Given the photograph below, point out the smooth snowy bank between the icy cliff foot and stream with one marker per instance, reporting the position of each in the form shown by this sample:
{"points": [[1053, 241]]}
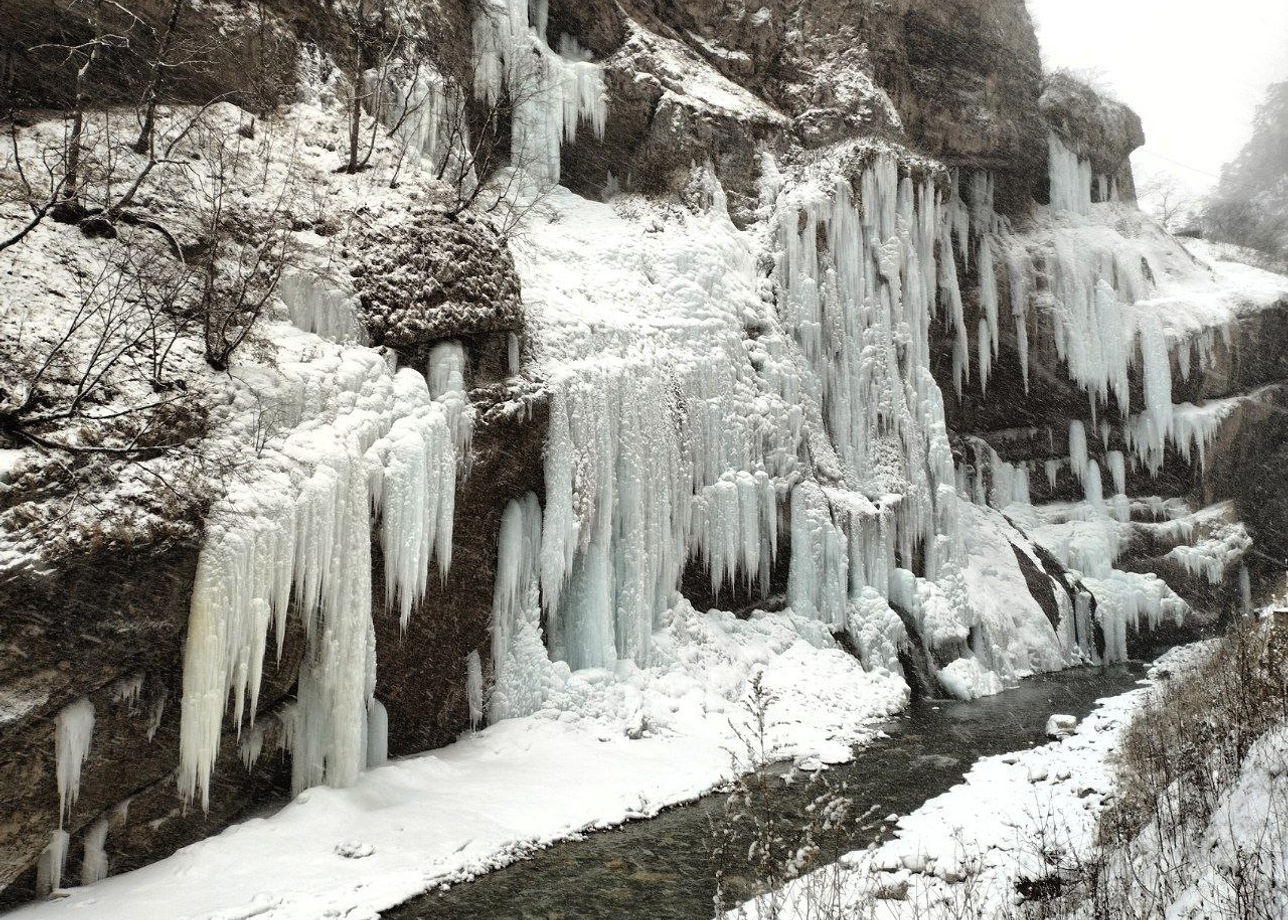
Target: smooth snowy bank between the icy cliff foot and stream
{"points": [[485, 801]]}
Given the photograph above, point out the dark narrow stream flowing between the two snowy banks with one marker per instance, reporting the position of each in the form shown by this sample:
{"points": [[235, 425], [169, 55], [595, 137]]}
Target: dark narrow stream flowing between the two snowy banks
{"points": [[663, 869]]}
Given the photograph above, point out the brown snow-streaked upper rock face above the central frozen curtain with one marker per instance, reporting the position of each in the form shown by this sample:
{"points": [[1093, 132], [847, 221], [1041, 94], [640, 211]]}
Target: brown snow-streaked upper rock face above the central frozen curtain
{"points": [[955, 81]]}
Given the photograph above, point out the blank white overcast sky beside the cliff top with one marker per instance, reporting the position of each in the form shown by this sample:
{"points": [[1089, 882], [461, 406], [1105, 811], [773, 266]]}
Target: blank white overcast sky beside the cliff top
{"points": [[1195, 70]]}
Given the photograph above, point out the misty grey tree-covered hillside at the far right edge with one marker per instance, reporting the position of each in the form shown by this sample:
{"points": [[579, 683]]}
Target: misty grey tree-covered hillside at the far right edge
{"points": [[1250, 207]]}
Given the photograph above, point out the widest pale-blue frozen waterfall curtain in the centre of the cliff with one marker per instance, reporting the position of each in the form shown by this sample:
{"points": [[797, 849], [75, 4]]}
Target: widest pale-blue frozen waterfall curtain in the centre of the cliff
{"points": [[676, 436]]}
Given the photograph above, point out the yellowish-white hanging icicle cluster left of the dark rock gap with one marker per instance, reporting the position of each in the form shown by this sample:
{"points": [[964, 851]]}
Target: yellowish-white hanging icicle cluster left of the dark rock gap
{"points": [[298, 533]]}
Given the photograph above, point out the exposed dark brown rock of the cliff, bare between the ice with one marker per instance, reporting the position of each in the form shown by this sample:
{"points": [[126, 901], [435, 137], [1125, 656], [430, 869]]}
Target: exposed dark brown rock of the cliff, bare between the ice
{"points": [[688, 83]]}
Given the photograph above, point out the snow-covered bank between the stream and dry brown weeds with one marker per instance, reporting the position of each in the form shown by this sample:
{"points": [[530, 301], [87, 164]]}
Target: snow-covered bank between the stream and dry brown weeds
{"points": [[961, 854]]}
